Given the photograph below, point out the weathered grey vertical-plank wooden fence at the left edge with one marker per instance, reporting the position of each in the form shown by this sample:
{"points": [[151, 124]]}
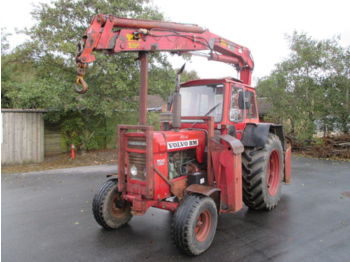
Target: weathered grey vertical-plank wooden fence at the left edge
{"points": [[22, 136]]}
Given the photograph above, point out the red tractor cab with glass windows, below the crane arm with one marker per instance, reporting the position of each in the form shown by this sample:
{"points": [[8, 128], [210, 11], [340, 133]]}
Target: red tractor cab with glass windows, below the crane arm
{"points": [[231, 104]]}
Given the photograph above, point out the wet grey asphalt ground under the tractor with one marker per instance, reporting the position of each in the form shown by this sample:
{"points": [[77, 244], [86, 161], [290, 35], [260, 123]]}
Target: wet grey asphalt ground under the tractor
{"points": [[46, 216]]}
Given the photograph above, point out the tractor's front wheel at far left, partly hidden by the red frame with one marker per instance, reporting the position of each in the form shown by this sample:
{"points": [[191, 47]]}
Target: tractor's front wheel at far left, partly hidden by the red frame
{"points": [[110, 211]]}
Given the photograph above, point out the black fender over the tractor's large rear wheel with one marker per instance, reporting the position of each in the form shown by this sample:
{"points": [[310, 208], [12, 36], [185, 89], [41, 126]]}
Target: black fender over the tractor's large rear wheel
{"points": [[255, 135]]}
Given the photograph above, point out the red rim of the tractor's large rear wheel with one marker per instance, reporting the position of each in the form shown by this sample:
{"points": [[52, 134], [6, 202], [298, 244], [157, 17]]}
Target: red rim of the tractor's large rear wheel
{"points": [[273, 174]]}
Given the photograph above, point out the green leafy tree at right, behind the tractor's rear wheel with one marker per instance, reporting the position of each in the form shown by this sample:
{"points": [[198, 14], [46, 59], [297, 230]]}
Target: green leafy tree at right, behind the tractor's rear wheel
{"points": [[311, 86]]}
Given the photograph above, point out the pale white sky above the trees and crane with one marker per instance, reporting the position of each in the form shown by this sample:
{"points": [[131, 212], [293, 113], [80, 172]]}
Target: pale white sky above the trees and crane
{"points": [[262, 26]]}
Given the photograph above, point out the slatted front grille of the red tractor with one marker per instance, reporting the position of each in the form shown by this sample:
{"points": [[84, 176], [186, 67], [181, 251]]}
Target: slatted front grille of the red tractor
{"points": [[137, 159]]}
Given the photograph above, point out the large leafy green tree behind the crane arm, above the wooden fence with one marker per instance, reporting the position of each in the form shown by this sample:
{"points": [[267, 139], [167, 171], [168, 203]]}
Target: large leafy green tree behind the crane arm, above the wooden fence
{"points": [[41, 72]]}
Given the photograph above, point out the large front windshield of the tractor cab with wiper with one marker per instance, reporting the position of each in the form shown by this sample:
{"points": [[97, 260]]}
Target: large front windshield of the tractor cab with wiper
{"points": [[204, 100]]}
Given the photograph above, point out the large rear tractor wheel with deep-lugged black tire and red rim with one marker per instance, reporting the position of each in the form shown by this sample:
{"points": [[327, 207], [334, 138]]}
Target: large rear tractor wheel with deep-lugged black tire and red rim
{"points": [[262, 187]]}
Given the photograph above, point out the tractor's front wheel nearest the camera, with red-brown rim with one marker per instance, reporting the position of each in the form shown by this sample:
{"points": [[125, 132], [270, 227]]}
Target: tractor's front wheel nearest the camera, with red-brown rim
{"points": [[194, 224]]}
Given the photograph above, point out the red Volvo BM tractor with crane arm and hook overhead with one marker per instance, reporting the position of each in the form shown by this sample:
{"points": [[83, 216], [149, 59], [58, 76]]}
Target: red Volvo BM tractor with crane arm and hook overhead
{"points": [[212, 153]]}
